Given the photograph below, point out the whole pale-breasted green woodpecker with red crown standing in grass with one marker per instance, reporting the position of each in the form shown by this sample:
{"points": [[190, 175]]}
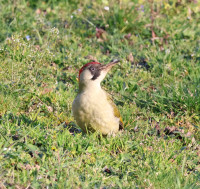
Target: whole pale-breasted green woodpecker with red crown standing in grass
{"points": [[93, 108]]}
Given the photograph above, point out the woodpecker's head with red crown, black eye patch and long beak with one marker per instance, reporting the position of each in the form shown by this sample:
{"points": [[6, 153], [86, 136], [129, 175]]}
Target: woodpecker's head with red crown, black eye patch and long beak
{"points": [[94, 72]]}
